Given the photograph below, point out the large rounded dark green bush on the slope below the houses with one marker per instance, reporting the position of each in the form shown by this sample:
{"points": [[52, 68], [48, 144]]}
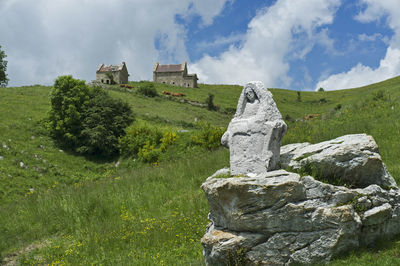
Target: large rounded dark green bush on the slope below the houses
{"points": [[86, 120]]}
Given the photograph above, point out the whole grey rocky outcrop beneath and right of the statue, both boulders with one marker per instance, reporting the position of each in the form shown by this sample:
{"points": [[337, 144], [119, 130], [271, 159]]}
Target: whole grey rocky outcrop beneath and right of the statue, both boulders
{"points": [[283, 218]]}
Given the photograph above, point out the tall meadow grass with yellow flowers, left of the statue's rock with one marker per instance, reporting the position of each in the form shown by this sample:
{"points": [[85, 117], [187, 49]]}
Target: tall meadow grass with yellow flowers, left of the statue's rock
{"points": [[153, 215]]}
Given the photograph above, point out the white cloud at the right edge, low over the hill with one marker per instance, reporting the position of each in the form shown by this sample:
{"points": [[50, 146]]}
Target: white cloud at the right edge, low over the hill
{"points": [[376, 10]]}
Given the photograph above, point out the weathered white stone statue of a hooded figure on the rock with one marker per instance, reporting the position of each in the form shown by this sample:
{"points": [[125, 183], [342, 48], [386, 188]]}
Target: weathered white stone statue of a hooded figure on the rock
{"points": [[254, 134]]}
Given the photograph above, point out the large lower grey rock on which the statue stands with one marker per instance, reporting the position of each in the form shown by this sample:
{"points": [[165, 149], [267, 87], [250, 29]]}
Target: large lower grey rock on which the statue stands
{"points": [[280, 218]]}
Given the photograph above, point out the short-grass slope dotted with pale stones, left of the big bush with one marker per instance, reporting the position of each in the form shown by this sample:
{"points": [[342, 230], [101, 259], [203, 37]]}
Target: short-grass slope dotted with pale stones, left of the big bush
{"points": [[31, 160]]}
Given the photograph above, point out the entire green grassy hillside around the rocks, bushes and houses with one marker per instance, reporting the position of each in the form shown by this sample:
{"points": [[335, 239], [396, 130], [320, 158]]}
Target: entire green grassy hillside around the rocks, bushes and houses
{"points": [[60, 208]]}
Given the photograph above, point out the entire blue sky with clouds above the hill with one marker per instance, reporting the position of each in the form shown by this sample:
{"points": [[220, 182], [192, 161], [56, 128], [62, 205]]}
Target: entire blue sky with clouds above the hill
{"points": [[290, 44]]}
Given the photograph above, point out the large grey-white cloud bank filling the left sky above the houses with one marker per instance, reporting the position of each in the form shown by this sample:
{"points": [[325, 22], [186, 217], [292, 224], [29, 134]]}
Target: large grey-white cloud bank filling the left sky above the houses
{"points": [[45, 38]]}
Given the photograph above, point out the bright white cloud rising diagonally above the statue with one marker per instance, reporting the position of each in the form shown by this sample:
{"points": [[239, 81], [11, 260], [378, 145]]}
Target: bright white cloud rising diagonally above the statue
{"points": [[276, 34]]}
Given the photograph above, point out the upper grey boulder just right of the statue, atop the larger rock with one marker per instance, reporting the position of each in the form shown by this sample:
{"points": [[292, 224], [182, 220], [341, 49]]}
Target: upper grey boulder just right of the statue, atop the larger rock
{"points": [[354, 159]]}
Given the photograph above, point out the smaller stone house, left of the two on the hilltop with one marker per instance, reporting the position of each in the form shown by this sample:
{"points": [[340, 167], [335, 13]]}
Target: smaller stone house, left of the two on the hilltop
{"points": [[117, 73]]}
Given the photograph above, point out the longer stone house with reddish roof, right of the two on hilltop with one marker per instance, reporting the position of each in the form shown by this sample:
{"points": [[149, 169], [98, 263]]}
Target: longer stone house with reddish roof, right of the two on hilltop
{"points": [[174, 75]]}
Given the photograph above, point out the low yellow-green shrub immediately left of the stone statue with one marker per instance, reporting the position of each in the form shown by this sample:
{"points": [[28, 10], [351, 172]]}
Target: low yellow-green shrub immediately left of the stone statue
{"points": [[209, 137]]}
